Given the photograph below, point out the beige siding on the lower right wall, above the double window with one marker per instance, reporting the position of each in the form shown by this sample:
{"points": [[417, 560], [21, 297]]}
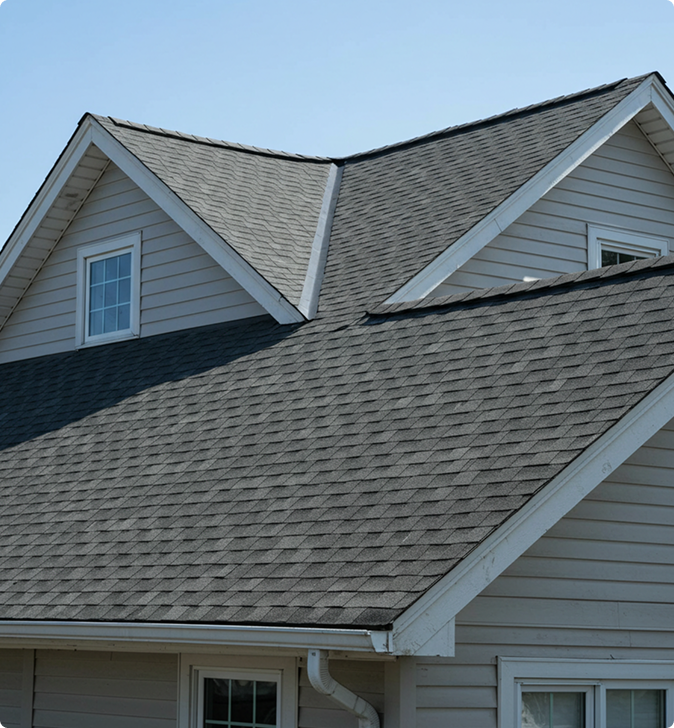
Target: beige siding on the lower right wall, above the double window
{"points": [[599, 584]]}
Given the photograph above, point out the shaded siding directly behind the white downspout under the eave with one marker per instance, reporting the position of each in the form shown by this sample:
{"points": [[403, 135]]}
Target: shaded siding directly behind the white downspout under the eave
{"points": [[364, 678]]}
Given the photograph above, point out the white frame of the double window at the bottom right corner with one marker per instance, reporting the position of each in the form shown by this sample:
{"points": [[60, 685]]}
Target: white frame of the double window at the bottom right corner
{"points": [[517, 675]]}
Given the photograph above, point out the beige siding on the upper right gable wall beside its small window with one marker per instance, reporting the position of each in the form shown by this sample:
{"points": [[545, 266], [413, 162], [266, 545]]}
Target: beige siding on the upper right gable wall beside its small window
{"points": [[624, 184]]}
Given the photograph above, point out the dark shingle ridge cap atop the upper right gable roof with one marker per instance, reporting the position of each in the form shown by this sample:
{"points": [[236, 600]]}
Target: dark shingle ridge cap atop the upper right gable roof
{"points": [[518, 111]]}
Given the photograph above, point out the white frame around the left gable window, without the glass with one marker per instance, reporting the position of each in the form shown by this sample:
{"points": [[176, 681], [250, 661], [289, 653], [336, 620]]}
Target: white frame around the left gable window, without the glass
{"points": [[88, 254]]}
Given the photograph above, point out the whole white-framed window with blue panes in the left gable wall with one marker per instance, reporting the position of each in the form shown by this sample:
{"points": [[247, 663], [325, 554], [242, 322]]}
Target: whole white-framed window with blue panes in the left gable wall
{"points": [[108, 292]]}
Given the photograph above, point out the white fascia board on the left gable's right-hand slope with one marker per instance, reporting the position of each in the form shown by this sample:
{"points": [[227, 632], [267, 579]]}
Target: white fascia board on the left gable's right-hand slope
{"points": [[244, 274]]}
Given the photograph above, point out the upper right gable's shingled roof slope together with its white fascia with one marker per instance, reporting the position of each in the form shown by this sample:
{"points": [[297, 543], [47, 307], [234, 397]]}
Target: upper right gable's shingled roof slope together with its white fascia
{"points": [[402, 208]]}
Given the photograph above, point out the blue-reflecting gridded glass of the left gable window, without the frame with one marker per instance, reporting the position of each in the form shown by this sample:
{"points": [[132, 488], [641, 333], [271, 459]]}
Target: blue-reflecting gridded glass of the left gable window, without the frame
{"points": [[109, 294]]}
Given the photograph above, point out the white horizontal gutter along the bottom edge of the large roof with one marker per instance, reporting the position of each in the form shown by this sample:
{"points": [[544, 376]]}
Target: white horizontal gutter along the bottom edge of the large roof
{"points": [[350, 640]]}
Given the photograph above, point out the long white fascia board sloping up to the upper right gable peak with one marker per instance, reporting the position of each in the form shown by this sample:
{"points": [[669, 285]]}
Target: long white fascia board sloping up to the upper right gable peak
{"points": [[520, 201]]}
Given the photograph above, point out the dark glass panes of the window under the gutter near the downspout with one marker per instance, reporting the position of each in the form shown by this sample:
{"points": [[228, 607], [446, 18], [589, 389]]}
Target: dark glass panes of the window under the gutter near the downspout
{"points": [[240, 703]]}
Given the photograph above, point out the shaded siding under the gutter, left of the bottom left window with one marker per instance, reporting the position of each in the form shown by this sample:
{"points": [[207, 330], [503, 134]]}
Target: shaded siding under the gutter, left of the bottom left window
{"points": [[104, 689]]}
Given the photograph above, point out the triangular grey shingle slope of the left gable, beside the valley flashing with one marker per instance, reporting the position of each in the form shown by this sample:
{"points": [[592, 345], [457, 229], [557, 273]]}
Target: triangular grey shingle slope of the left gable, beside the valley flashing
{"points": [[265, 204]]}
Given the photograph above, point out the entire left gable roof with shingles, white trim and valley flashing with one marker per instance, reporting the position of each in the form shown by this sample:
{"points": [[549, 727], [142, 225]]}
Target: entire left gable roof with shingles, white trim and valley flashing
{"points": [[263, 215]]}
